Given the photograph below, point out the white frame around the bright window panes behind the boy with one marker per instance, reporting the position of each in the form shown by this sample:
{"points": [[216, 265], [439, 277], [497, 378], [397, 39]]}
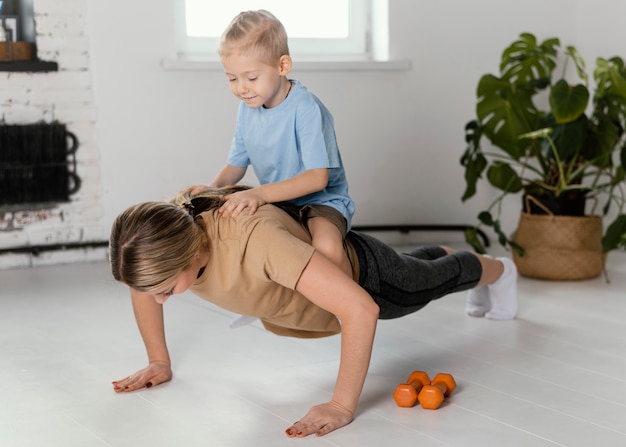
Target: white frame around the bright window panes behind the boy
{"points": [[356, 47]]}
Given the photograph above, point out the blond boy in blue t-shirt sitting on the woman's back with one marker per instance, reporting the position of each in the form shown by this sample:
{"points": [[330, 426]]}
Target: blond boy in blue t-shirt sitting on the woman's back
{"points": [[285, 133]]}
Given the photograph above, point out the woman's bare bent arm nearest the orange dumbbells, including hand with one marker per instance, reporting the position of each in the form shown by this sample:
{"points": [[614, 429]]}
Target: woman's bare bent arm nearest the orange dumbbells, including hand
{"points": [[327, 286]]}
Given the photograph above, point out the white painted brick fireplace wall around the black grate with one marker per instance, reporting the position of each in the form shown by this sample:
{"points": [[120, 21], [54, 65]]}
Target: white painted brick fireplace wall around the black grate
{"points": [[65, 96]]}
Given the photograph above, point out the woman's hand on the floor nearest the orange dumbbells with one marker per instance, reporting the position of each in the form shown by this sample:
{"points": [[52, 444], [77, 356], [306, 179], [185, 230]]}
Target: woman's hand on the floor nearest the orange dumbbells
{"points": [[321, 420]]}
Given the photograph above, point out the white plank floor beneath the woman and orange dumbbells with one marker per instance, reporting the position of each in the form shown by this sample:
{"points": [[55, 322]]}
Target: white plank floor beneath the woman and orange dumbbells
{"points": [[556, 376]]}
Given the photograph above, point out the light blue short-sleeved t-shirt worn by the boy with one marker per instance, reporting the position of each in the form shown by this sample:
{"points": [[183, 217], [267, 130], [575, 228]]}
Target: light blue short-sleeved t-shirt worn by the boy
{"points": [[295, 136]]}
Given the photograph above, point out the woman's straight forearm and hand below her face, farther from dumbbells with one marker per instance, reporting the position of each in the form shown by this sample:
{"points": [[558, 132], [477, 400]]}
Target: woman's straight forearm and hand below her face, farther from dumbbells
{"points": [[149, 317]]}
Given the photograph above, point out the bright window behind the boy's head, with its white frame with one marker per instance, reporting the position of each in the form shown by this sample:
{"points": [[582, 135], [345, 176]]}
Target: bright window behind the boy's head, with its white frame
{"points": [[317, 29]]}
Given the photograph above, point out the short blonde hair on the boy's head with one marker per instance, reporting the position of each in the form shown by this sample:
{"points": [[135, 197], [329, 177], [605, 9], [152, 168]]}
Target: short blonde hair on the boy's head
{"points": [[258, 33]]}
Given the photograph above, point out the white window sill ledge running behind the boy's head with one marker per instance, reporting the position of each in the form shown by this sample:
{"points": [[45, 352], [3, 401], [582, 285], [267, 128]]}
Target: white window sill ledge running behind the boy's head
{"points": [[330, 65]]}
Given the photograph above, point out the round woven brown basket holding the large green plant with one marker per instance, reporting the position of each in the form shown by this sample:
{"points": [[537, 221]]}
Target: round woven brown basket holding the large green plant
{"points": [[559, 247]]}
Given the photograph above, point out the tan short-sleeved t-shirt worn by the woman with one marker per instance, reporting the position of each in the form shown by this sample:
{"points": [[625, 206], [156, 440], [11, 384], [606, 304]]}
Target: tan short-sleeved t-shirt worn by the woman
{"points": [[254, 265]]}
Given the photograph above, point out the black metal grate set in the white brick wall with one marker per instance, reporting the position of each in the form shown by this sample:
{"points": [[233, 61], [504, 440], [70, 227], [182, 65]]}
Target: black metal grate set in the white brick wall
{"points": [[37, 163]]}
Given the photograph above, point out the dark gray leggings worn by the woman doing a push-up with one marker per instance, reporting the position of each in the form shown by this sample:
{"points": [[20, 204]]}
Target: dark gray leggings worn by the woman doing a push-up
{"points": [[404, 283]]}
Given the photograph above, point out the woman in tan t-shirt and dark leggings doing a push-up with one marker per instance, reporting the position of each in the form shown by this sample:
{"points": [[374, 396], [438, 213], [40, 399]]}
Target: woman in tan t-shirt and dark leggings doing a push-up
{"points": [[263, 265]]}
